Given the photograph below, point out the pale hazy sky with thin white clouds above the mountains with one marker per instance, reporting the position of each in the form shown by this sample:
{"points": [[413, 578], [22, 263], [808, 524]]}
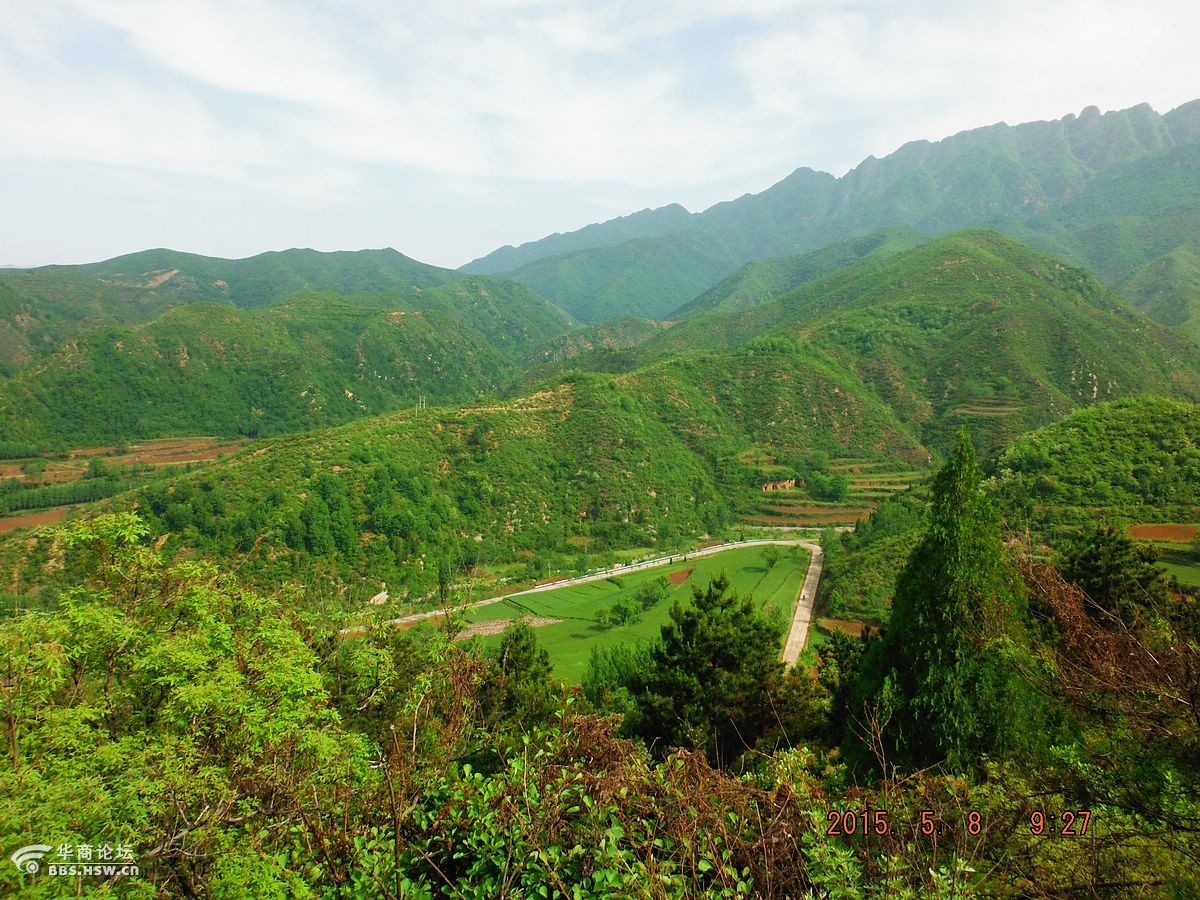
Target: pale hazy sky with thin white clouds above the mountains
{"points": [[449, 128]]}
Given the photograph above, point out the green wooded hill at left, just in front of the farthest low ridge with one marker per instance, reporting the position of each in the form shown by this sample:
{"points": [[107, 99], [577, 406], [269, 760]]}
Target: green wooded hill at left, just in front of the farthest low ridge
{"points": [[310, 362]]}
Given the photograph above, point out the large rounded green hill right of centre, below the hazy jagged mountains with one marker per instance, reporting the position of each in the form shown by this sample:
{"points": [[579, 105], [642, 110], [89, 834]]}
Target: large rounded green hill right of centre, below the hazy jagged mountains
{"points": [[971, 329]]}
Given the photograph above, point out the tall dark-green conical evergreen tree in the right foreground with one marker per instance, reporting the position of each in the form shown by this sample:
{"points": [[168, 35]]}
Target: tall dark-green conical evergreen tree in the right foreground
{"points": [[943, 697]]}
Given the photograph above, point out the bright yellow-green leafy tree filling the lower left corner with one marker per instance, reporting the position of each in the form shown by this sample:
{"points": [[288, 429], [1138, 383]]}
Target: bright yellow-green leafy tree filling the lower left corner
{"points": [[165, 709]]}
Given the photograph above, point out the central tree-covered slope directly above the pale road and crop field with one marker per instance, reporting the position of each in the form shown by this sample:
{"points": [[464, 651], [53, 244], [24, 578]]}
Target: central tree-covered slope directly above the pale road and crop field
{"points": [[421, 495]]}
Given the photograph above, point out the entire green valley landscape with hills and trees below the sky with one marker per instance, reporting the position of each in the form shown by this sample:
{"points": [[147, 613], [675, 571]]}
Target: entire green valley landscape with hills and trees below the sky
{"points": [[655, 554]]}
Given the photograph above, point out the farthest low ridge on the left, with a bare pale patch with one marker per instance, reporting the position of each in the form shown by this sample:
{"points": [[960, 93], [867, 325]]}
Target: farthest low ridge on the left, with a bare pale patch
{"points": [[41, 308]]}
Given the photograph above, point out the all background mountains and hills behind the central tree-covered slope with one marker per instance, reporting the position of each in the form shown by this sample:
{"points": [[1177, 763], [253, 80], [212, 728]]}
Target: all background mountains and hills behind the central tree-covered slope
{"points": [[904, 328]]}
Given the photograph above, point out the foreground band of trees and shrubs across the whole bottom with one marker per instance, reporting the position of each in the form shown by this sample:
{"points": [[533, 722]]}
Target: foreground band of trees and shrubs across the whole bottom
{"points": [[1015, 733]]}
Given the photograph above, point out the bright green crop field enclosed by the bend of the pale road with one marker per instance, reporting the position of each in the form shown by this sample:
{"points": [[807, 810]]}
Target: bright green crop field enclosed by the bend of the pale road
{"points": [[571, 641]]}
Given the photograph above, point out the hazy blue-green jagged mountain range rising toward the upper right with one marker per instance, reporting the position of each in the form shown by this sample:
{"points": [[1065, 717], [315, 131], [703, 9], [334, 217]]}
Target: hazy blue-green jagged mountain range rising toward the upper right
{"points": [[1064, 187]]}
